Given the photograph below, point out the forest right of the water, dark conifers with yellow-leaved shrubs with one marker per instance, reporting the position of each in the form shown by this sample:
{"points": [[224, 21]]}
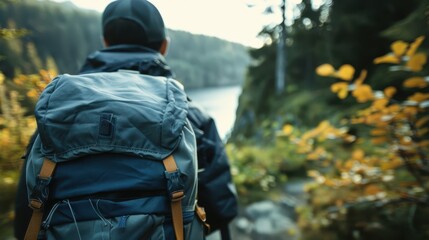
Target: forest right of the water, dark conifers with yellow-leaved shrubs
{"points": [[352, 120]]}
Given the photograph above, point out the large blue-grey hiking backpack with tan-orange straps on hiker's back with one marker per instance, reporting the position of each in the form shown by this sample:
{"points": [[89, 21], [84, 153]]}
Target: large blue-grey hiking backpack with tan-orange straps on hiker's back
{"points": [[114, 158]]}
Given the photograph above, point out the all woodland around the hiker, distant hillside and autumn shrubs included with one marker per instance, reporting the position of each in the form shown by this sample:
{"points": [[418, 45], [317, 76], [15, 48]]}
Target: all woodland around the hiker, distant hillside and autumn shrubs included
{"points": [[352, 119]]}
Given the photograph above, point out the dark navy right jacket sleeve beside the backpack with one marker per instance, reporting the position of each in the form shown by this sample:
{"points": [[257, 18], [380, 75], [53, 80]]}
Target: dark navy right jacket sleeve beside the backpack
{"points": [[216, 191]]}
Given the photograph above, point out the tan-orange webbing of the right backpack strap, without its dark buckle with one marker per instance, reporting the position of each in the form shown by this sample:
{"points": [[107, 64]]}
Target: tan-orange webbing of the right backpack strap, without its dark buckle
{"points": [[176, 203]]}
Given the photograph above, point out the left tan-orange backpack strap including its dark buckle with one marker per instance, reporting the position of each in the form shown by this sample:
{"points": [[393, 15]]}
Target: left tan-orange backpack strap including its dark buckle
{"points": [[38, 198]]}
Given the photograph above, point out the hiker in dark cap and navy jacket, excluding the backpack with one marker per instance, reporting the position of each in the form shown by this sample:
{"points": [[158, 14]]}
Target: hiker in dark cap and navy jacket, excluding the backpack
{"points": [[135, 39]]}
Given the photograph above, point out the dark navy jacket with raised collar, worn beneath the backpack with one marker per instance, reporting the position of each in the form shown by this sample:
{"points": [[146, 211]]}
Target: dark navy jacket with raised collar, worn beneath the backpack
{"points": [[216, 192]]}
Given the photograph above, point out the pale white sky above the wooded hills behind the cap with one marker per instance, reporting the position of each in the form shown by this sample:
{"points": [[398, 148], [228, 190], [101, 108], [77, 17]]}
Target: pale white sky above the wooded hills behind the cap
{"points": [[231, 20]]}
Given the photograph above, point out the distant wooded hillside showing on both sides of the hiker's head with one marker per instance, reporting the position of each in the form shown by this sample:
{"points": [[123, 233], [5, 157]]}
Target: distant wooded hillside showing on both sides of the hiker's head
{"points": [[60, 35]]}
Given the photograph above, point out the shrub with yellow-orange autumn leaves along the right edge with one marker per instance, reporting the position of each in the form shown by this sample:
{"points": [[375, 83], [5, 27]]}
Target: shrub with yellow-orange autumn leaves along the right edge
{"points": [[371, 184]]}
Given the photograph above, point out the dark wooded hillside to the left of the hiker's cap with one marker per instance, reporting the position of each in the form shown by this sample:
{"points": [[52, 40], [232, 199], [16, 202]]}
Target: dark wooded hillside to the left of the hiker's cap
{"points": [[54, 31]]}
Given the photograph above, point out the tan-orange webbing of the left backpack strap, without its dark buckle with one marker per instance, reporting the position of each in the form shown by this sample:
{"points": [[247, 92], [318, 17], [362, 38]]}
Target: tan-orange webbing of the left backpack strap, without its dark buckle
{"points": [[37, 206]]}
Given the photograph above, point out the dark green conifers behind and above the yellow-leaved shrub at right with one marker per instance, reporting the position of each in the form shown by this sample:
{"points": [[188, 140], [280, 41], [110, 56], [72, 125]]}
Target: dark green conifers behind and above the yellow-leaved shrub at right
{"points": [[343, 32]]}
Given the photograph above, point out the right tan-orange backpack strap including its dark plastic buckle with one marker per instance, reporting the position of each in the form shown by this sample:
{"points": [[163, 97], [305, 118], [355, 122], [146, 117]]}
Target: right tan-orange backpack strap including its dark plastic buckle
{"points": [[176, 191]]}
